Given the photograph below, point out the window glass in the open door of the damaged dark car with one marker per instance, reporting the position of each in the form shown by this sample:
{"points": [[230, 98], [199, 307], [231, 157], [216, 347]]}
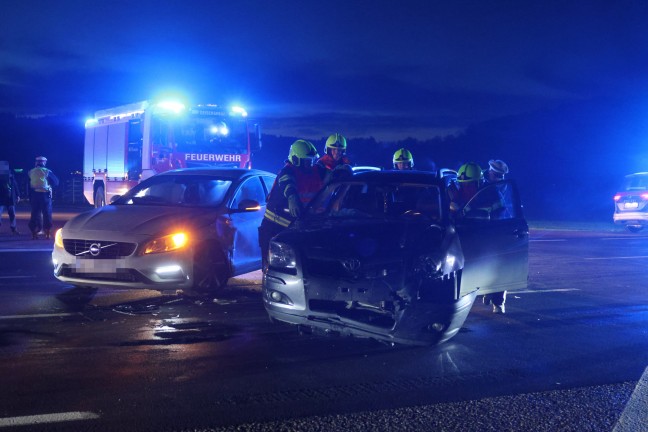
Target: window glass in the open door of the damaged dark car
{"points": [[494, 202]]}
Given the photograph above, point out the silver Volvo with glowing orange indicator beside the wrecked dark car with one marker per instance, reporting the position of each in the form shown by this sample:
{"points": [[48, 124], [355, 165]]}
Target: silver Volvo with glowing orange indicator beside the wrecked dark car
{"points": [[189, 229]]}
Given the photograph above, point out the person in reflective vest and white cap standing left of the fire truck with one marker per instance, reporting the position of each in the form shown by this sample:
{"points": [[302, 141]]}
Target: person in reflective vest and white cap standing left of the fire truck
{"points": [[41, 181]]}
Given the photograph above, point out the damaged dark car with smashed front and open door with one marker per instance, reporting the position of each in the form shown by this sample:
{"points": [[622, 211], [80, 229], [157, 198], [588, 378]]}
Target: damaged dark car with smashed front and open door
{"points": [[380, 256]]}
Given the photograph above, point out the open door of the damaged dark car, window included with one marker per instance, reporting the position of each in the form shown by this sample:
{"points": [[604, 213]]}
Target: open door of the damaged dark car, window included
{"points": [[494, 237]]}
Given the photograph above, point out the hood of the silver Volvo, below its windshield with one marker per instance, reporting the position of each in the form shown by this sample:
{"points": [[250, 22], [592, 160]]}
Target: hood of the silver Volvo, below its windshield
{"points": [[140, 219]]}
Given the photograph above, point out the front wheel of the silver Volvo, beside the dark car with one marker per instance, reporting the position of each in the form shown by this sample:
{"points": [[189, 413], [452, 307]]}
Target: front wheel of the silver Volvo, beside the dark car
{"points": [[210, 269]]}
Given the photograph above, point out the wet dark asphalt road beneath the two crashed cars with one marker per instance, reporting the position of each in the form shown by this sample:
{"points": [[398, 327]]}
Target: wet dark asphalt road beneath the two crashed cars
{"points": [[569, 355]]}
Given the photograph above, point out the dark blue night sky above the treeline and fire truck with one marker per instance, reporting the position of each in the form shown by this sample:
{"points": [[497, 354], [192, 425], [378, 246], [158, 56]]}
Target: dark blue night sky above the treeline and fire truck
{"points": [[388, 69]]}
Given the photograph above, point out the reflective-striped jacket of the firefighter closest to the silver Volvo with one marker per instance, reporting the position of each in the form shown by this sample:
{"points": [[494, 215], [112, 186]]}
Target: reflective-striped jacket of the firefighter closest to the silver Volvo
{"points": [[292, 180]]}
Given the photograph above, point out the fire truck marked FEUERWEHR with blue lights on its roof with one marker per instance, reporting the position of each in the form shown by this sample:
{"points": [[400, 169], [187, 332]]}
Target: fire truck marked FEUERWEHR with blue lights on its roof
{"points": [[128, 143]]}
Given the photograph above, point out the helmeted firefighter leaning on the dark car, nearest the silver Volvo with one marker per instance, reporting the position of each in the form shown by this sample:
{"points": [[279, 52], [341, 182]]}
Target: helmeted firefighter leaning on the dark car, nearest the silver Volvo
{"points": [[296, 184]]}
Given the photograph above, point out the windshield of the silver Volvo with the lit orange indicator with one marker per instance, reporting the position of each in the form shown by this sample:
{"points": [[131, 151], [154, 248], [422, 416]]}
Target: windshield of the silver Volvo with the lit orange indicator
{"points": [[189, 191]]}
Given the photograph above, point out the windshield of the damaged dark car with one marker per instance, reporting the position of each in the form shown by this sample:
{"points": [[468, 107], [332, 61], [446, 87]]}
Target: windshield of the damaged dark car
{"points": [[371, 200]]}
